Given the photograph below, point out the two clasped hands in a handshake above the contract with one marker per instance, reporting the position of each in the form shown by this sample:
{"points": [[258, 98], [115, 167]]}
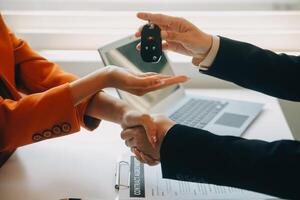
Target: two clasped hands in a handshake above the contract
{"points": [[144, 135]]}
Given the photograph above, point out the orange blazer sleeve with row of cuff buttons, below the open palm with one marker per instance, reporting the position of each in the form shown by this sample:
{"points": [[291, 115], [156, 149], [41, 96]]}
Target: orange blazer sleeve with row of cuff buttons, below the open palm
{"points": [[37, 117]]}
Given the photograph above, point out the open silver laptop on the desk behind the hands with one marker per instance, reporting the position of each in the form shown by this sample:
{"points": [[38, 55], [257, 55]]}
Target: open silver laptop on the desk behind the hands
{"points": [[217, 115]]}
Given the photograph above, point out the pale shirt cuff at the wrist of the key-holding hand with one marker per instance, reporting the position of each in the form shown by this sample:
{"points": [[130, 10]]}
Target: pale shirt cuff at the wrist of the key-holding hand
{"points": [[210, 58]]}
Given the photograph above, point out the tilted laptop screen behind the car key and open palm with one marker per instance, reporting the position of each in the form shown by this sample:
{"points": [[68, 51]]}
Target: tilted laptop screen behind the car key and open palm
{"points": [[127, 56]]}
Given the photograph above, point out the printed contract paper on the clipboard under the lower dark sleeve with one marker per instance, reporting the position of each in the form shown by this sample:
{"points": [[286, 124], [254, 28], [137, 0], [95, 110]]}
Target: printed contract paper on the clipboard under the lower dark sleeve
{"points": [[146, 182]]}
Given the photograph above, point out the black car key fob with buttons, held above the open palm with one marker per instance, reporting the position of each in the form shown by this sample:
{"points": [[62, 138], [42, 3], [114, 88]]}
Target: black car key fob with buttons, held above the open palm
{"points": [[151, 47]]}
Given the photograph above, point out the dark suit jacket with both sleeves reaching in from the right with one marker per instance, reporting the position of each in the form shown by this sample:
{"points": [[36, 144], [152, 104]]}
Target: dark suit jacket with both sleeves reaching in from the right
{"points": [[273, 168]]}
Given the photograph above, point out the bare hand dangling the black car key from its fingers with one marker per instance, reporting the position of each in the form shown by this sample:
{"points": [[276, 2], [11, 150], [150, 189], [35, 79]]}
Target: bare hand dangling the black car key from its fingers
{"points": [[179, 35]]}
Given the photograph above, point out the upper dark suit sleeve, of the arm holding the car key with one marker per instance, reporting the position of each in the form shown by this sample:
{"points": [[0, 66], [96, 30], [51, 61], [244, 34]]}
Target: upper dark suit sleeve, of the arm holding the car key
{"points": [[258, 69]]}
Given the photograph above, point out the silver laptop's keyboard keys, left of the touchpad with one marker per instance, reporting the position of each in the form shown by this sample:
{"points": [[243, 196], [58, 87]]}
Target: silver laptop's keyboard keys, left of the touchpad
{"points": [[197, 112]]}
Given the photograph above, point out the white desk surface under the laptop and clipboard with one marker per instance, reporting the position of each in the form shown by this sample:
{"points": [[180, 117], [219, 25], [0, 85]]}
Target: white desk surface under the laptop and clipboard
{"points": [[83, 164]]}
